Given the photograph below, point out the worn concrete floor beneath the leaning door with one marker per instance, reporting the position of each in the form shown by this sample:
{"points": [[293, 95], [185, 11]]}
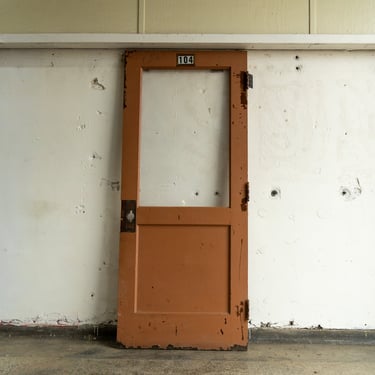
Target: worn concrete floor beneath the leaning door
{"points": [[49, 356]]}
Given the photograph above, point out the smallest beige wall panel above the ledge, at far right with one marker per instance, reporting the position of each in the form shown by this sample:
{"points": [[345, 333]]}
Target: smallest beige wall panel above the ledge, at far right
{"points": [[343, 16]]}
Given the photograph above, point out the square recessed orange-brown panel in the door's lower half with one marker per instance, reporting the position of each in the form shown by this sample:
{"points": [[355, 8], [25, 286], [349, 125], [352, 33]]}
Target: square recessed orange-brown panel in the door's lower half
{"points": [[183, 269]]}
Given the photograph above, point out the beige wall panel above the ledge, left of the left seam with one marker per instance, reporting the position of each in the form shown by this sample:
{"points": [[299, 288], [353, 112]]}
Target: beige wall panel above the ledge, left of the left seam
{"points": [[71, 16]]}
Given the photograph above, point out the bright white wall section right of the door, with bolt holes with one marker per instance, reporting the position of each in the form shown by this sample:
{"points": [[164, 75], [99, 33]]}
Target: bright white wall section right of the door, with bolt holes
{"points": [[311, 135]]}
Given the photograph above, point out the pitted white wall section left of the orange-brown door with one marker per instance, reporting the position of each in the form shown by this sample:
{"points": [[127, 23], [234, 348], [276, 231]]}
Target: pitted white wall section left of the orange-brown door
{"points": [[60, 139]]}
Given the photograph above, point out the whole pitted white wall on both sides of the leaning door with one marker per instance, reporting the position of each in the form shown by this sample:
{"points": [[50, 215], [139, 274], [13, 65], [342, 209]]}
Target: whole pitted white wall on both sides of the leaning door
{"points": [[311, 135]]}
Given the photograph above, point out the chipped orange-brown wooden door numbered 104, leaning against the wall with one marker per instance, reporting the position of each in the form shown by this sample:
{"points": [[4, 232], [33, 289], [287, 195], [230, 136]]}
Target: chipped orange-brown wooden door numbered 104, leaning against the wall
{"points": [[183, 247]]}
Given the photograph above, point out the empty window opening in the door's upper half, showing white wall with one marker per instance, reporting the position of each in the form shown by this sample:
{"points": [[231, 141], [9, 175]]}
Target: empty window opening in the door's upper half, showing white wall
{"points": [[184, 146]]}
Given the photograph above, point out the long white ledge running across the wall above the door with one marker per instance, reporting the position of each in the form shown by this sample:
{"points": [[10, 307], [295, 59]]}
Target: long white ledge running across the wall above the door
{"points": [[193, 41]]}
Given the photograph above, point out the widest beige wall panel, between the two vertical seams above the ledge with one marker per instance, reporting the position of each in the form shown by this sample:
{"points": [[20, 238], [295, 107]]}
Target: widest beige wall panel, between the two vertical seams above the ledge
{"points": [[223, 16]]}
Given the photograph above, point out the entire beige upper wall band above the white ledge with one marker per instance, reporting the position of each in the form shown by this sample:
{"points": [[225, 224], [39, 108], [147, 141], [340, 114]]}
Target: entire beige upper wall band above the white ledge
{"points": [[187, 16]]}
